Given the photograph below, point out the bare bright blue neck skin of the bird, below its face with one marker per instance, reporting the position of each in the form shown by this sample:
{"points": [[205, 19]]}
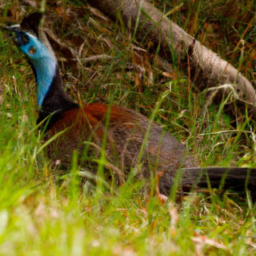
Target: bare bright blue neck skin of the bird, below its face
{"points": [[45, 69]]}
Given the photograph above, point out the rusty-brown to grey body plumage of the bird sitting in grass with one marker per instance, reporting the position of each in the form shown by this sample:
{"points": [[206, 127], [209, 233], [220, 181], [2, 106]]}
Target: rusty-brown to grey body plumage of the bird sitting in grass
{"points": [[127, 143]]}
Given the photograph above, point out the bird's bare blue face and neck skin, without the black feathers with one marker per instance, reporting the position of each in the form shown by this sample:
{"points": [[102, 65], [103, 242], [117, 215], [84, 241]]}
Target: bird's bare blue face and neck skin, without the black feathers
{"points": [[40, 58]]}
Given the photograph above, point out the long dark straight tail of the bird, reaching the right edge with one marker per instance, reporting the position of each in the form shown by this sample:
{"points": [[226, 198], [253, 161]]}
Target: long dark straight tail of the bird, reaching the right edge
{"points": [[236, 179]]}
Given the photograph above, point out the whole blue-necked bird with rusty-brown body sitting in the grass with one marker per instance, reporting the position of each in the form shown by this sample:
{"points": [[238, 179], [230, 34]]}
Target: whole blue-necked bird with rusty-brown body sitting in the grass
{"points": [[131, 143]]}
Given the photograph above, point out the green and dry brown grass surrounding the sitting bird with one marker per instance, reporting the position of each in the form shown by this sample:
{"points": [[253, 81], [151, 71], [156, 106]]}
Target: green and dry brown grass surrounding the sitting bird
{"points": [[43, 212]]}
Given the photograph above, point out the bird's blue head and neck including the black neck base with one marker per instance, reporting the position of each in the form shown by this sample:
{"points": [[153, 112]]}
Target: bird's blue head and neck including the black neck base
{"points": [[51, 97]]}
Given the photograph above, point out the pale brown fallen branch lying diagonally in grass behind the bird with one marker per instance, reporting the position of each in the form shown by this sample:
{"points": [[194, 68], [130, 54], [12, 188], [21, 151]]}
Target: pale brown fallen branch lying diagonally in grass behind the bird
{"points": [[150, 24]]}
